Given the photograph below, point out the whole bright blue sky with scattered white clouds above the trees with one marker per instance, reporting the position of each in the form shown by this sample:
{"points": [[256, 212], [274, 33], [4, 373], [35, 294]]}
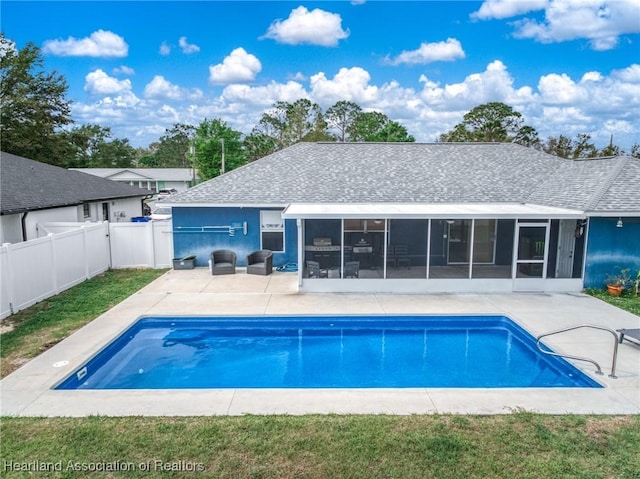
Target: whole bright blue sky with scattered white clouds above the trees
{"points": [[569, 66]]}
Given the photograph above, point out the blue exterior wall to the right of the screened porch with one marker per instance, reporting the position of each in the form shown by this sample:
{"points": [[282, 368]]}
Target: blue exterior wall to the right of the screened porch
{"points": [[610, 249]]}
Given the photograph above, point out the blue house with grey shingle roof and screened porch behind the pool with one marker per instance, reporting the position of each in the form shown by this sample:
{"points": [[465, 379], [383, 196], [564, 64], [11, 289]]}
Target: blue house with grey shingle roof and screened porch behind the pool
{"points": [[410, 217]]}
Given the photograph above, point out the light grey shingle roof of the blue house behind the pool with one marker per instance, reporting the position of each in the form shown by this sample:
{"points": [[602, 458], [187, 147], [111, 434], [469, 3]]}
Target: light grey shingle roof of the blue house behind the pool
{"points": [[405, 173]]}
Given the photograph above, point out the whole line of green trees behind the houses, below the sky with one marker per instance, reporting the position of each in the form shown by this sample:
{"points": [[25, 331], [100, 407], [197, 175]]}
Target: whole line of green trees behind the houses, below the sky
{"points": [[36, 123]]}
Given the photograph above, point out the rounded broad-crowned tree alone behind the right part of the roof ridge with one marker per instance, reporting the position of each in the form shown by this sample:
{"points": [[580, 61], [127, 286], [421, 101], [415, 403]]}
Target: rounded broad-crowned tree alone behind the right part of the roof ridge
{"points": [[492, 122]]}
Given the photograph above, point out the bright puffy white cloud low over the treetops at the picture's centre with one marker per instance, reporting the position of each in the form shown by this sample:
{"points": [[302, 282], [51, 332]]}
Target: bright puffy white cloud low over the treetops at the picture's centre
{"points": [[351, 84]]}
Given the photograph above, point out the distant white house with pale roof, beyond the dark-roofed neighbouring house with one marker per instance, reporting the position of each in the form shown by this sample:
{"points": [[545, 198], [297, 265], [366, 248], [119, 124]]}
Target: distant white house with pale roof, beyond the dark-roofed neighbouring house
{"points": [[154, 179]]}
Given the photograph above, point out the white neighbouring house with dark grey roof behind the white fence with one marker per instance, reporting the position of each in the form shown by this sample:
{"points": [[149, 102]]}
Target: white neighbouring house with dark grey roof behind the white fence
{"points": [[34, 193]]}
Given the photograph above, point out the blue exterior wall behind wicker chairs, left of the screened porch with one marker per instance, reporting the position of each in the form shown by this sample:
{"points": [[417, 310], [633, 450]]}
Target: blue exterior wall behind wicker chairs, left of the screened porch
{"points": [[202, 244]]}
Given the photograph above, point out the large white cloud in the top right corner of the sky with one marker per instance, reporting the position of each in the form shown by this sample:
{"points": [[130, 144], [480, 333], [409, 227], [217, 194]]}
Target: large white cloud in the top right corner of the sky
{"points": [[601, 22]]}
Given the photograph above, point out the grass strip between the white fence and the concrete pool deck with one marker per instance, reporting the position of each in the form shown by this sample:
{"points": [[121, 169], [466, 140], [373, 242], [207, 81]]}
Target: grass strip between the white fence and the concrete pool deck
{"points": [[33, 330]]}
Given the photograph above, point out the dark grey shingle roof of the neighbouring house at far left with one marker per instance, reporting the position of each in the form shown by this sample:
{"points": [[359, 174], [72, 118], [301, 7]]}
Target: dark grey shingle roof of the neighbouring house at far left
{"points": [[28, 185]]}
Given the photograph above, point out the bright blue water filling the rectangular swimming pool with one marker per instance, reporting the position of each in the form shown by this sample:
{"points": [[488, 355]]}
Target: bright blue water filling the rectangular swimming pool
{"points": [[324, 352]]}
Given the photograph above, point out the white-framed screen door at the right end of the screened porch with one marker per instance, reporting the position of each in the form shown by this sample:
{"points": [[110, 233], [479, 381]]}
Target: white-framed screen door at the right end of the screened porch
{"points": [[531, 252]]}
